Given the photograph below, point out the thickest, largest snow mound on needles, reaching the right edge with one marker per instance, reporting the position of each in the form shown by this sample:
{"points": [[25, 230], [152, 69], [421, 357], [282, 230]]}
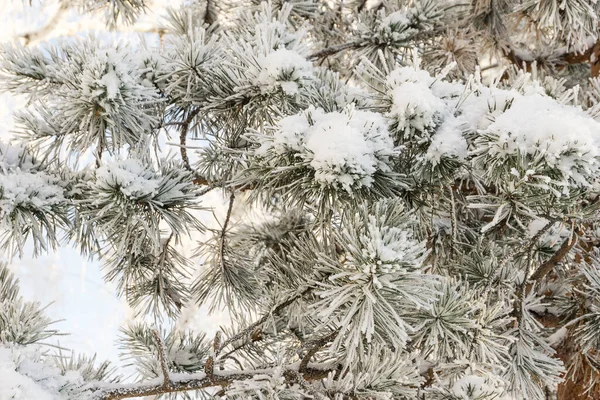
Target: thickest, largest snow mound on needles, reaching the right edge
{"points": [[557, 145]]}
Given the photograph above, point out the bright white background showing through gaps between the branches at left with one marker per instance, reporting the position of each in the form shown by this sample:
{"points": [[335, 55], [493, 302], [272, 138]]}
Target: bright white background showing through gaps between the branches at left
{"points": [[89, 307]]}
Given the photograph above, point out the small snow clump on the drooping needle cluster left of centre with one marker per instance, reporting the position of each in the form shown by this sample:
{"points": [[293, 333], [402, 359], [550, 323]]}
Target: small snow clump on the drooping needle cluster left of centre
{"points": [[130, 177]]}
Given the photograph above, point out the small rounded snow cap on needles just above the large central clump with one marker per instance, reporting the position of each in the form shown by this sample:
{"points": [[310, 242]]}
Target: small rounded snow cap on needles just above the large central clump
{"points": [[284, 68]]}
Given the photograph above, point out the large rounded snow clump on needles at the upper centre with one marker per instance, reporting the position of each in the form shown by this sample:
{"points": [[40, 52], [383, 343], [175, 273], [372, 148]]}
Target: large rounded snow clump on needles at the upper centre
{"points": [[345, 149]]}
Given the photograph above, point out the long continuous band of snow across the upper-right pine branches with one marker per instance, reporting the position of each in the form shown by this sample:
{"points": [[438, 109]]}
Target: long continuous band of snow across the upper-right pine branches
{"points": [[522, 121]]}
